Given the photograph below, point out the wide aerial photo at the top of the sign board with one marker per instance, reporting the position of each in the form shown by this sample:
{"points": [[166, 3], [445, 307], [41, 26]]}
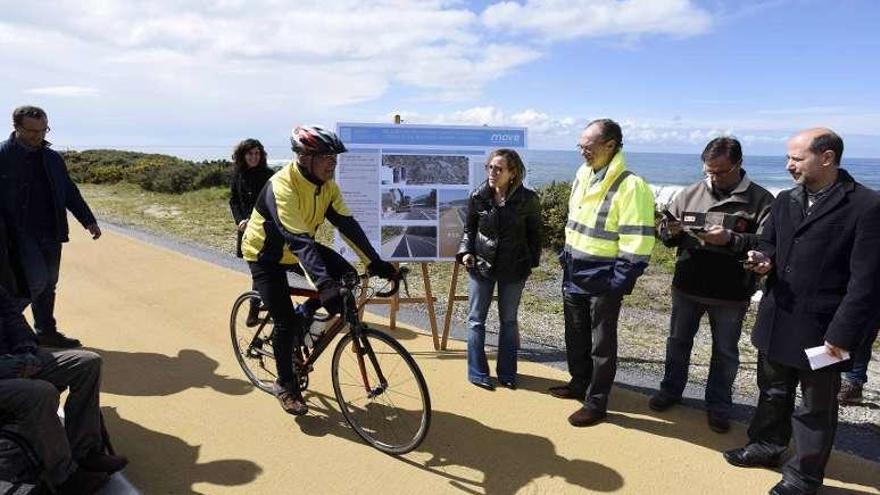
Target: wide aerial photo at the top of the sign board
{"points": [[424, 169]]}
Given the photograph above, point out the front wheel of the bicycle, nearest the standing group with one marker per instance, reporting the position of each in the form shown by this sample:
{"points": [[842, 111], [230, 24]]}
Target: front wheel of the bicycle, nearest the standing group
{"points": [[381, 391]]}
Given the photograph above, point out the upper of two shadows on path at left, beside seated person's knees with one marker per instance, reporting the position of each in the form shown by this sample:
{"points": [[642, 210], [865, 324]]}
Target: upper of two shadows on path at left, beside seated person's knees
{"points": [[152, 374]]}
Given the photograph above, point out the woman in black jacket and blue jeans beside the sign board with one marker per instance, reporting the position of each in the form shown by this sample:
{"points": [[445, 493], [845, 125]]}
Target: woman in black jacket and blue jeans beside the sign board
{"points": [[501, 245]]}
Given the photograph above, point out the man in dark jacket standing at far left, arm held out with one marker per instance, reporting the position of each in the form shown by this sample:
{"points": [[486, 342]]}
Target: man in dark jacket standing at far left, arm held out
{"points": [[36, 192]]}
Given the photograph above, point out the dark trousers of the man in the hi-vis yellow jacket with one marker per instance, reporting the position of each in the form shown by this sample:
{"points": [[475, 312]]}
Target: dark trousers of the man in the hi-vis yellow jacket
{"points": [[591, 345]]}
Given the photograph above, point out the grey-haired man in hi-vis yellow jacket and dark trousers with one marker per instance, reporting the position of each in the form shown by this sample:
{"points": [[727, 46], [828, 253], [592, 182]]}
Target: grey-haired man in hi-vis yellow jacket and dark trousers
{"points": [[608, 241]]}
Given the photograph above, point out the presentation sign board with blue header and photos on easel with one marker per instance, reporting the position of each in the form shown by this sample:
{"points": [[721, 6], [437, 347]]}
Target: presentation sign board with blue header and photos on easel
{"points": [[408, 185]]}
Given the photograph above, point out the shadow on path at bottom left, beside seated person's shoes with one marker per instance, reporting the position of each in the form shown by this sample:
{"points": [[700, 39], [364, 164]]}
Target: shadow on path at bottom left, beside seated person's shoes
{"points": [[167, 464]]}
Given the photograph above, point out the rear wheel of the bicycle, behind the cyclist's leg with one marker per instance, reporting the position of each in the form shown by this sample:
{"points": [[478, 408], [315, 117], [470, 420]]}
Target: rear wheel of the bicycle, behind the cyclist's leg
{"points": [[253, 344]]}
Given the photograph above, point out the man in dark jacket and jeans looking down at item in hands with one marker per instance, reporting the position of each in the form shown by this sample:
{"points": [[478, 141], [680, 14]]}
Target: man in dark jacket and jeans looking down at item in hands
{"points": [[709, 277]]}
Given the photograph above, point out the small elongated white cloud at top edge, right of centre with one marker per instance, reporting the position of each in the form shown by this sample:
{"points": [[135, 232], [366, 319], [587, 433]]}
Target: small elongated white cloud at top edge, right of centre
{"points": [[553, 20]]}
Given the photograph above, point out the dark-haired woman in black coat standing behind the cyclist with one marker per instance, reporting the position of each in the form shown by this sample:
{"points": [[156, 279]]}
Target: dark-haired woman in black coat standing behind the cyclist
{"points": [[250, 174]]}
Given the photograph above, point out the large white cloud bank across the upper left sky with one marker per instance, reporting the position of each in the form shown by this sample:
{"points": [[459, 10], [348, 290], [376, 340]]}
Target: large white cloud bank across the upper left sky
{"points": [[336, 53]]}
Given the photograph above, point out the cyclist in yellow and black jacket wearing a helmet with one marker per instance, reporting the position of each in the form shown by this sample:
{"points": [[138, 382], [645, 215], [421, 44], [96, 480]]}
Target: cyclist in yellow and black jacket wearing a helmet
{"points": [[281, 234]]}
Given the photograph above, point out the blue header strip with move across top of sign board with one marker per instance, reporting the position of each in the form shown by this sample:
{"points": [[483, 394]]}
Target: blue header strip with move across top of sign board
{"points": [[489, 137]]}
